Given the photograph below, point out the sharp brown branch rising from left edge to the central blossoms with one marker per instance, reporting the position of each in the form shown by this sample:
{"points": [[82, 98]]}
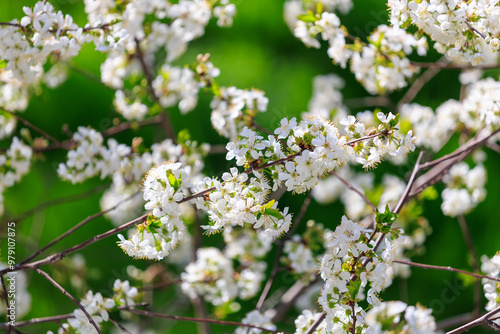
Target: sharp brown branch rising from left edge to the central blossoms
{"points": [[59, 256]]}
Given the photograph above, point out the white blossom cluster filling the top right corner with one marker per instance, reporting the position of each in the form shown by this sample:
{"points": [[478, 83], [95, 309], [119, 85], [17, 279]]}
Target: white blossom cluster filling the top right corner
{"points": [[459, 28]]}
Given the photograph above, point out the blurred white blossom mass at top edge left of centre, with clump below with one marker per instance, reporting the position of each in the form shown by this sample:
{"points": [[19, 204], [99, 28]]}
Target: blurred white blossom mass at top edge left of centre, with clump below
{"points": [[174, 25]]}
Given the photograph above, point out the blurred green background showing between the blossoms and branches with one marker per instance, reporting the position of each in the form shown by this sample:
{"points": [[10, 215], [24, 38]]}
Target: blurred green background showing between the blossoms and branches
{"points": [[258, 51]]}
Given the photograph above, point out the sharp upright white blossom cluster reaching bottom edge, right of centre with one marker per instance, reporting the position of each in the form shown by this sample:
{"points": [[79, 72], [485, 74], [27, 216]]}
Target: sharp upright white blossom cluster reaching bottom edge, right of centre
{"points": [[347, 248]]}
